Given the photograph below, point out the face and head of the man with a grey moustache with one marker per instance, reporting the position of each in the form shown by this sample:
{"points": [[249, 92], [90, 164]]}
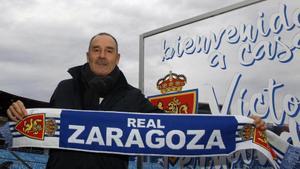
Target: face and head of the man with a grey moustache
{"points": [[102, 55]]}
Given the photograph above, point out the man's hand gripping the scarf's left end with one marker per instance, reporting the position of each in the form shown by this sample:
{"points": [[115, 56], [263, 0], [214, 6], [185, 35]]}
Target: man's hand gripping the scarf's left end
{"points": [[16, 111]]}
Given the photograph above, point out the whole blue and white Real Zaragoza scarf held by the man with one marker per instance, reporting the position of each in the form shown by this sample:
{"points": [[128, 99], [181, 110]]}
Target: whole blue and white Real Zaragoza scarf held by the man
{"points": [[180, 135]]}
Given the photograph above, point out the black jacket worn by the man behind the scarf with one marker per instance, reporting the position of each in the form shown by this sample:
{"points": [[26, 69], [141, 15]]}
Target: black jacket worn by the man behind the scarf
{"points": [[71, 94]]}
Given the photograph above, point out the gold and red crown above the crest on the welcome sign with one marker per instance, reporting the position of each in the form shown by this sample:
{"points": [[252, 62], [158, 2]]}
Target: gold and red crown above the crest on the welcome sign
{"points": [[171, 83]]}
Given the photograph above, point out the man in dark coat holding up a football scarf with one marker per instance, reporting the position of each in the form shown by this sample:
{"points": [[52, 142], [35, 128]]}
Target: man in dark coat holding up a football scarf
{"points": [[97, 85]]}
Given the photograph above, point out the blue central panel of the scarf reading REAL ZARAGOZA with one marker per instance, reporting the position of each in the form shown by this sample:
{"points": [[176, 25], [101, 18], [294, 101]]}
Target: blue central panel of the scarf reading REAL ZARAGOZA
{"points": [[135, 133]]}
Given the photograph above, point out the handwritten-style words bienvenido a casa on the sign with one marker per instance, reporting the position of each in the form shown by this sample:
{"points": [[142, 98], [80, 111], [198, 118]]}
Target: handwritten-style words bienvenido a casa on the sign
{"points": [[249, 53]]}
